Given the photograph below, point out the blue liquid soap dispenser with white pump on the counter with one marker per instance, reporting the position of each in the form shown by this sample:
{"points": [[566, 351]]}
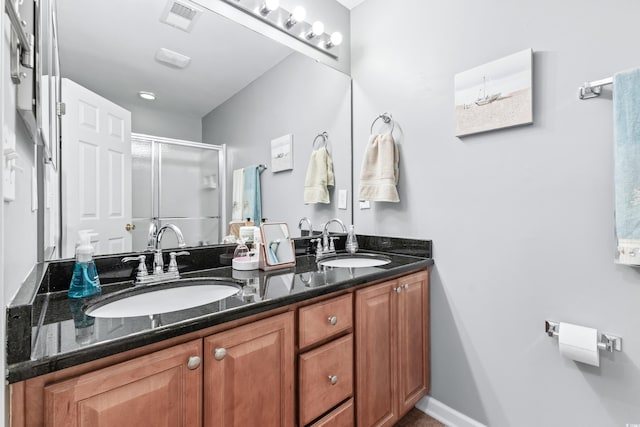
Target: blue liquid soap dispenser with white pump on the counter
{"points": [[84, 282]]}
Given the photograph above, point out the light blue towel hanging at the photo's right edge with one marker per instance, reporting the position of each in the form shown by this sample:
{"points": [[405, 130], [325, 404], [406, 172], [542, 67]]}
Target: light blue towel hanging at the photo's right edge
{"points": [[626, 123]]}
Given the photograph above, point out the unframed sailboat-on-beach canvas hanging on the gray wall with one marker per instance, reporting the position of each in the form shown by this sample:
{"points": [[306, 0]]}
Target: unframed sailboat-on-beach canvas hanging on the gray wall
{"points": [[495, 95]]}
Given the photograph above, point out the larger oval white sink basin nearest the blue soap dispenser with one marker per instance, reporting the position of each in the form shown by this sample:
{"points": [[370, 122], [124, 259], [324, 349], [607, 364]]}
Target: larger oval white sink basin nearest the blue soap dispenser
{"points": [[162, 298]]}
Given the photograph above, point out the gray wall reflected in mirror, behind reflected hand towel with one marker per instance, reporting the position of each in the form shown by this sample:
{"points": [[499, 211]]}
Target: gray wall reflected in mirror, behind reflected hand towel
{"points": [[299, 97]]}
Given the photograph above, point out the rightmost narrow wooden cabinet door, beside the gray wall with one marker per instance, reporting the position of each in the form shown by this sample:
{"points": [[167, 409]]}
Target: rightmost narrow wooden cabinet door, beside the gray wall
{"points": [[413, 340]]}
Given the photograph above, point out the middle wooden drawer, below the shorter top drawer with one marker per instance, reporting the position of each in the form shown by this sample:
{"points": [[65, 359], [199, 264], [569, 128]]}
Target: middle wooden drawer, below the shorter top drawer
{"points": [[325, 377]]}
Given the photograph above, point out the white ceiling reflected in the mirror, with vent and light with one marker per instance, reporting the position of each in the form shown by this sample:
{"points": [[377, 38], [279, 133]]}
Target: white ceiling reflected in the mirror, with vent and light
{"points": [[109, 47]]}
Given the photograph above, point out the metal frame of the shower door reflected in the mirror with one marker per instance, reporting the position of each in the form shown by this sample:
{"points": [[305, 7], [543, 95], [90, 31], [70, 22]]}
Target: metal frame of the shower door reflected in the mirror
{"points": [[156, 153]]}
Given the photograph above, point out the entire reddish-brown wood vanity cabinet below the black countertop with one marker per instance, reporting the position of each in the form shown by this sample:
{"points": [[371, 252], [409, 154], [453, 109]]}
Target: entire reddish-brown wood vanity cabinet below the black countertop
{"points": [[366, 367]]}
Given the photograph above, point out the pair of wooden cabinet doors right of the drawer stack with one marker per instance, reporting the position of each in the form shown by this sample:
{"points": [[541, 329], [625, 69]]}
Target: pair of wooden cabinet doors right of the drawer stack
{"points": [[392, 349]]}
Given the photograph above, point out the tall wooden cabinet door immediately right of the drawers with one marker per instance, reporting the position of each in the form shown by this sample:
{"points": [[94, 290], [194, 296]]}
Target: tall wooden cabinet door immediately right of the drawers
{"points": [[376, 355]]}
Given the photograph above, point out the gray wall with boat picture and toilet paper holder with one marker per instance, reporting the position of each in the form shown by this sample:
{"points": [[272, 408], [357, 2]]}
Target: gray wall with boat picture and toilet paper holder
{"points": [[521, 219]]}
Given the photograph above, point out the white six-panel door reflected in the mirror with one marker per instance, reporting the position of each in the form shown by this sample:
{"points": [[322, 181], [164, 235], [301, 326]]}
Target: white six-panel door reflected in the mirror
{"points": [[96, 177]]}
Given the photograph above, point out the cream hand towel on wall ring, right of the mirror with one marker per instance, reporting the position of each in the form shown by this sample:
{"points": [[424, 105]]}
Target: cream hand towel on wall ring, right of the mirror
{"points": [[379, 173]]}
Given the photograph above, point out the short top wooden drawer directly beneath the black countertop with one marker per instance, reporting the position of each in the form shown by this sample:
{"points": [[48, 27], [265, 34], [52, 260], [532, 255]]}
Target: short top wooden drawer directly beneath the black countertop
{"points": [[323, 320]]}
